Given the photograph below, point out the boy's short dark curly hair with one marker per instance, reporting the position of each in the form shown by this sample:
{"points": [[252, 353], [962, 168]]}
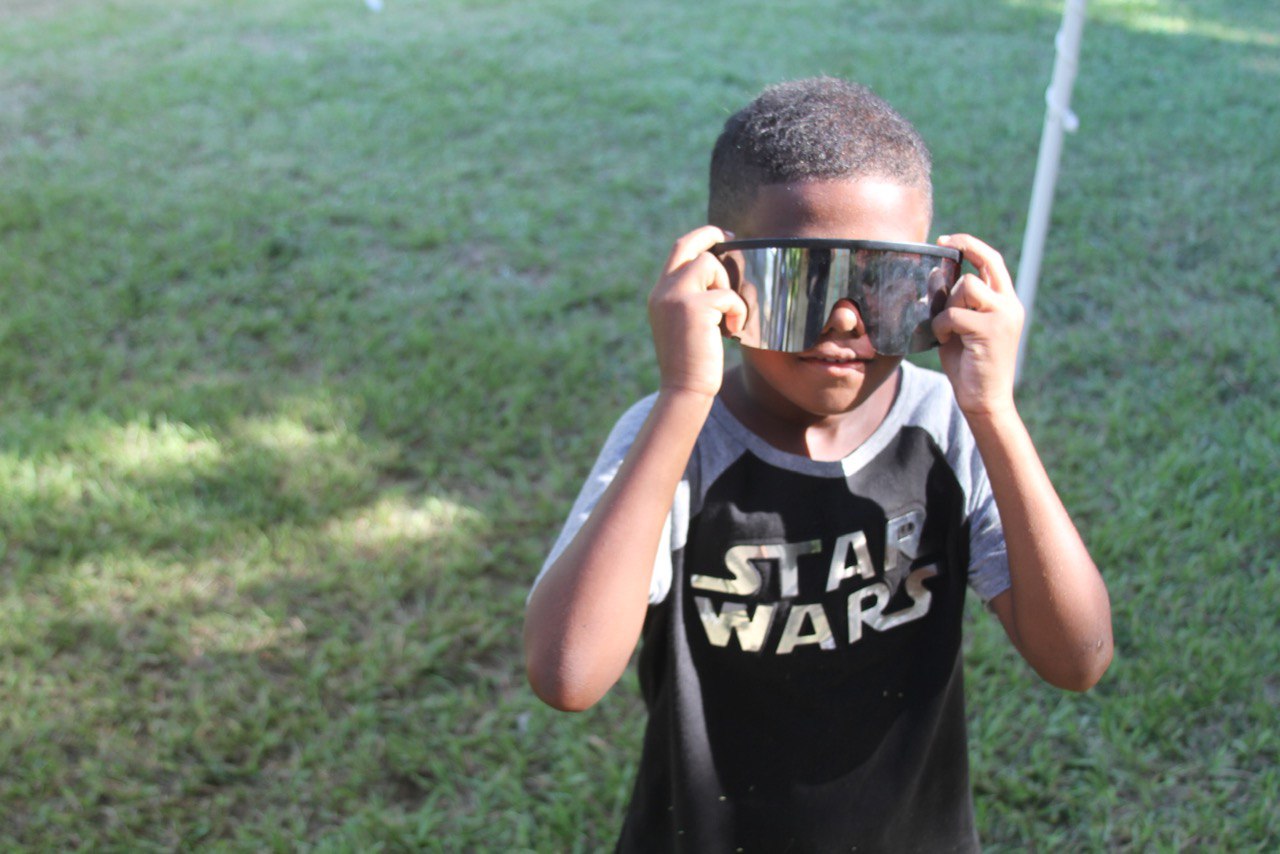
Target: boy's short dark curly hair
{"points": [[819, 129]]}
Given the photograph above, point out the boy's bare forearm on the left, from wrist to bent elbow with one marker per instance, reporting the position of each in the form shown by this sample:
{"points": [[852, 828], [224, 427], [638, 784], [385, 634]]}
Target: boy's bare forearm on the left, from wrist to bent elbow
{"points": [[587, 613]]}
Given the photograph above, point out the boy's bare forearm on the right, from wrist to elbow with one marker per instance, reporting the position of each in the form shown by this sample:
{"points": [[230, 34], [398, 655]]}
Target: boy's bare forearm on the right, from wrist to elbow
{"points": [[1058, 613]]}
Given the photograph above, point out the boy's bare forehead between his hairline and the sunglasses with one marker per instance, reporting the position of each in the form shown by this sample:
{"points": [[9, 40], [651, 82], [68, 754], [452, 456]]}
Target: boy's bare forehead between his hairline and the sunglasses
{"points": [[870, 209]]}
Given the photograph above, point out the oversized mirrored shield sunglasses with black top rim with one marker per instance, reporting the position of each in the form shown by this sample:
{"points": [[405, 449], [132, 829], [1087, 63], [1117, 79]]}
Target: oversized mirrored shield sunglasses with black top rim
{"points": [[792, 285]]}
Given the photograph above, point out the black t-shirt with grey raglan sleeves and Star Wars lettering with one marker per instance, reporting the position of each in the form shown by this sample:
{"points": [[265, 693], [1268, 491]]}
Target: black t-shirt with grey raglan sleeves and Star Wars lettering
{"points": [[801, 659]]}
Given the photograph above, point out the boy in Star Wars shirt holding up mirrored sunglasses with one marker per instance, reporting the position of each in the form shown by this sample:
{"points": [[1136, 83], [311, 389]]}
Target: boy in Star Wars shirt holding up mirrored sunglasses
{"points": [[793, 538]]}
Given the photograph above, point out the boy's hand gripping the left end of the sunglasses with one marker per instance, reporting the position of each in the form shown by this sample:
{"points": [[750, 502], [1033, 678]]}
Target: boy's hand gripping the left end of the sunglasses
{"points": [[687, 312]]}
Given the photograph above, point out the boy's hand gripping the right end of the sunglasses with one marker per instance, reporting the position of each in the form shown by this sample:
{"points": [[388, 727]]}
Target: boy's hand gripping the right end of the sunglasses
{"points": [[979, 331]]}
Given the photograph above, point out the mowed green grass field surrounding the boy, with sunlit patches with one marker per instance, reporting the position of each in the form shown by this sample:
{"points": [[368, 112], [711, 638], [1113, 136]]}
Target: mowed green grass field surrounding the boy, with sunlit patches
{"points": [[313, 319]]}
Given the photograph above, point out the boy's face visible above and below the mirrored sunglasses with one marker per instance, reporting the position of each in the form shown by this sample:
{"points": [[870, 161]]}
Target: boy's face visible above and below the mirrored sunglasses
{"points": [[843, 369]]}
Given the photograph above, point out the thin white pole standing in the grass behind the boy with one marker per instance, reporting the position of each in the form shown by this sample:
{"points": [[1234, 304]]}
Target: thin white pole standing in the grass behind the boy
{"points": [[1059, 120]]}
